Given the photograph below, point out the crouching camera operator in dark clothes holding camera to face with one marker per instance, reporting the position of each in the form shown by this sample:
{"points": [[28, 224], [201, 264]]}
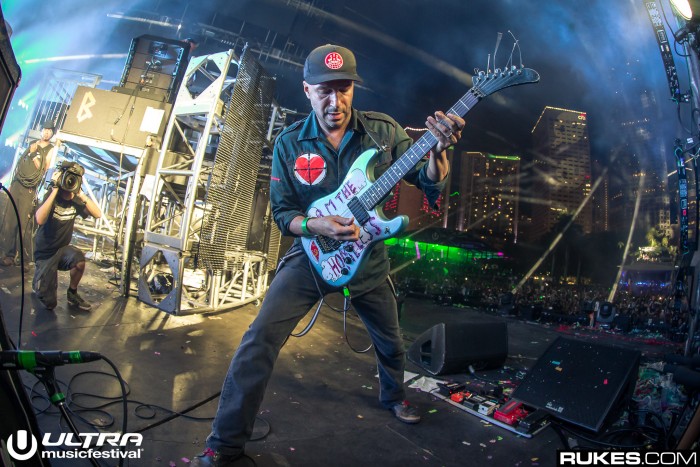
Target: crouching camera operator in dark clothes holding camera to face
{"points": [[52, 249]]}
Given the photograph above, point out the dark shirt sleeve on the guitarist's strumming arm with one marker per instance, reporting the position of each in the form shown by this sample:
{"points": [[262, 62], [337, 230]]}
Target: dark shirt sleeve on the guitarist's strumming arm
{"points": [[283, 199]]}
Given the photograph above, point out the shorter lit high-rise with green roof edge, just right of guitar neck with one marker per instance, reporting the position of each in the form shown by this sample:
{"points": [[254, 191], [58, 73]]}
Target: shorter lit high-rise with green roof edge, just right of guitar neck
{"points": [[482, 196]]}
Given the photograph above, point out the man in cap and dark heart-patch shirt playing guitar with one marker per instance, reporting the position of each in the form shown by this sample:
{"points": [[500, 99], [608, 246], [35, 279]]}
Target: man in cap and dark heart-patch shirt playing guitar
{"points": [[311, 159]]}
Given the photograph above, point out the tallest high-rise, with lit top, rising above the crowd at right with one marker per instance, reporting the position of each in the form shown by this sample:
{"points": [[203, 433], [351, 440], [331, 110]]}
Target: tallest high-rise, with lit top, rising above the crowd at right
{"points": [[561, 170]]}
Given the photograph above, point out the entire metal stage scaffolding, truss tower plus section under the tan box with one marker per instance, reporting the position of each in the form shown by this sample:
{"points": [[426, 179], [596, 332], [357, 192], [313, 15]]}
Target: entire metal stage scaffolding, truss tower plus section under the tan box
{"points": [[194, 209]]}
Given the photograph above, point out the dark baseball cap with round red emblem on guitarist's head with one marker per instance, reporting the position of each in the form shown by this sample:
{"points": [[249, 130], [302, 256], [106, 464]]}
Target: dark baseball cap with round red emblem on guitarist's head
{"points": [[330, 62]]}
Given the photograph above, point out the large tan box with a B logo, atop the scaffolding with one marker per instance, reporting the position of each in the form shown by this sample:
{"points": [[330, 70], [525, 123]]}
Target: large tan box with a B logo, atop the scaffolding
{"points": [[115, 117]]}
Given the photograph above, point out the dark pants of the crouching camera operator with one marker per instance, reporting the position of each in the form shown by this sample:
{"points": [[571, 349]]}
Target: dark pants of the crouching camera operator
{"points": [[45, 281]]}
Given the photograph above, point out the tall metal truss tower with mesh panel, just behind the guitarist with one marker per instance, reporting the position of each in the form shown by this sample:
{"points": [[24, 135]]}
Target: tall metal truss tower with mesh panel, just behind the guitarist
{"points": [[200, 216]]}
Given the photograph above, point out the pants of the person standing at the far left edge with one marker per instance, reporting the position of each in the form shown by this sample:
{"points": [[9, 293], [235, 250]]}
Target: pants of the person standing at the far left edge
{"points": [[9, 237]]}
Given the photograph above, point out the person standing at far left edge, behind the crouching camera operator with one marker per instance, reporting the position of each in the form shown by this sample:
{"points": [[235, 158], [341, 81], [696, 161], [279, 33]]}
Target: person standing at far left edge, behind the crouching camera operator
{"points": [[30, 170]]}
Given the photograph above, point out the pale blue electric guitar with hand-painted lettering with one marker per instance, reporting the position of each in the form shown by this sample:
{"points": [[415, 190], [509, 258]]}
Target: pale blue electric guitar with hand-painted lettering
{"points": [[337, 262]]}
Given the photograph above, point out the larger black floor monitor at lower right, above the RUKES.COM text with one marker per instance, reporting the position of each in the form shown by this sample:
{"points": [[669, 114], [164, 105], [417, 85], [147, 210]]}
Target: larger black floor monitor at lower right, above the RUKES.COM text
{"points": [[579, 382]]}
